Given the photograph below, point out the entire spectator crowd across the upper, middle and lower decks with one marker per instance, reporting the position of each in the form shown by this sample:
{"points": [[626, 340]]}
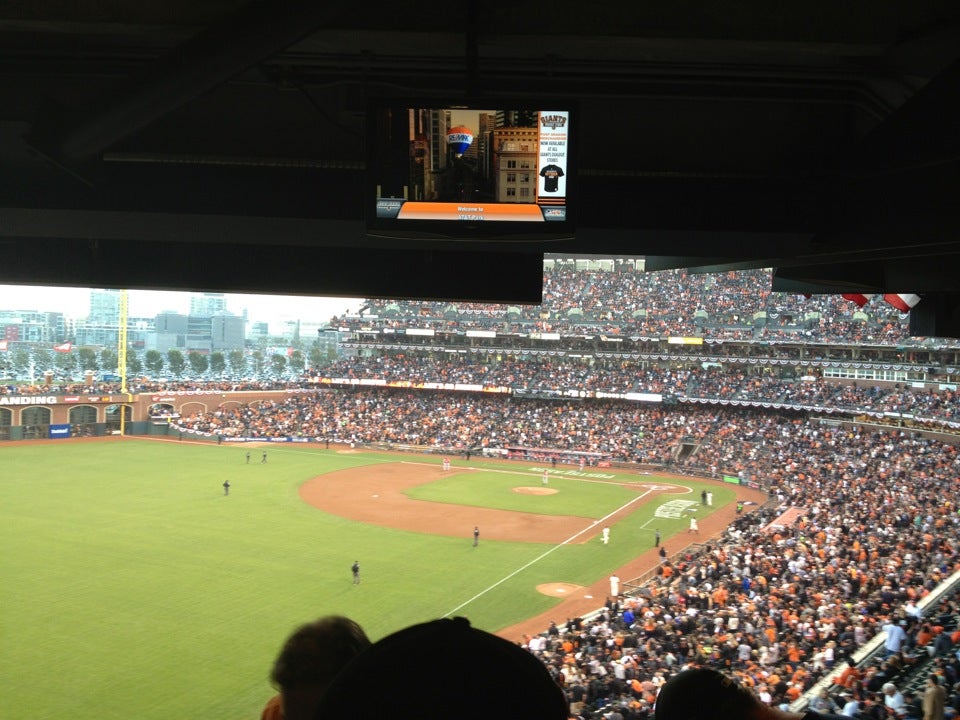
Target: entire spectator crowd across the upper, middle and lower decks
{"points": [[778, 605]]}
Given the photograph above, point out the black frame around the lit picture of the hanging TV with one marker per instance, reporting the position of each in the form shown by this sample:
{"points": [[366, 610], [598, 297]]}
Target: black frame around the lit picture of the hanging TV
{"points": [[453, 230]]}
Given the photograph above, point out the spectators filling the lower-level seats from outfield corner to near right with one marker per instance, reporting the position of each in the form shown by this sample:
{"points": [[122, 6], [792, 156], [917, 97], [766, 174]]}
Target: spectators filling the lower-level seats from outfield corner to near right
{"points": [[779, 606]]}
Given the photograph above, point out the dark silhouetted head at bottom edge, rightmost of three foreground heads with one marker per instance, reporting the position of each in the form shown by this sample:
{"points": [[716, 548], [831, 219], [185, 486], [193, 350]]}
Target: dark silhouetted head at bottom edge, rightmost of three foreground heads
{"points": [[704, 694]]}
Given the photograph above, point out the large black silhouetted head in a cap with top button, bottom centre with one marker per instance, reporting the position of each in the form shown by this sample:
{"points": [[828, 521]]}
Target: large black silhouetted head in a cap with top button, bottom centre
{"points": [[440, 670]]}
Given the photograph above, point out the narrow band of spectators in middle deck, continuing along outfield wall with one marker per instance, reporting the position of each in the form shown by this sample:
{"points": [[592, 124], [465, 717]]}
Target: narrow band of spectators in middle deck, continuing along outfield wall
{"points": [[570, 377]]}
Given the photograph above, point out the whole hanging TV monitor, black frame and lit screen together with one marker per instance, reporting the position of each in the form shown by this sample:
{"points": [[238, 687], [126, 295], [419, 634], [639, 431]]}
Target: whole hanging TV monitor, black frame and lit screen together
{"points": [[487, 171]]}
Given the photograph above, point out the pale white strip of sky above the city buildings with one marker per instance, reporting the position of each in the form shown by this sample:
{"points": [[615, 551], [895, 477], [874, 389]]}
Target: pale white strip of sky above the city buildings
{"points": [[75, 303]]}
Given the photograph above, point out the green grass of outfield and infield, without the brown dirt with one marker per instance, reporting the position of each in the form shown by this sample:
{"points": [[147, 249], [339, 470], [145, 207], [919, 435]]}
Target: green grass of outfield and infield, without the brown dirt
{"points": [[132, 588]]}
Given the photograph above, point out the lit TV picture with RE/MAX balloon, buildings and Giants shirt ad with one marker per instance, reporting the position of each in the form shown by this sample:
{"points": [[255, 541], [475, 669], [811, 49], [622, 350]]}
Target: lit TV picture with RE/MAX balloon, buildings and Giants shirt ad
{"points": [[471, 165]]}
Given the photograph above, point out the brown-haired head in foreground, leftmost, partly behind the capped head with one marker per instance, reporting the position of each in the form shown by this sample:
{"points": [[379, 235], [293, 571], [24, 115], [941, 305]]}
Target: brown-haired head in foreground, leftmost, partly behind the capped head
{"points": [[309, 660]]}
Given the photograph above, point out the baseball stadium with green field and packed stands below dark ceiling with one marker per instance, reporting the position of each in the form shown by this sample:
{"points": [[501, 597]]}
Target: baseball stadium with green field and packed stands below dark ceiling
{"points": [[648, 471]]}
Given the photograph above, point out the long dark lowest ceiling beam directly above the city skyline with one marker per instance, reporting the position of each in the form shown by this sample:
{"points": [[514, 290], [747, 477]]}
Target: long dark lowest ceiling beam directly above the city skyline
{"points": [[399, 272]]}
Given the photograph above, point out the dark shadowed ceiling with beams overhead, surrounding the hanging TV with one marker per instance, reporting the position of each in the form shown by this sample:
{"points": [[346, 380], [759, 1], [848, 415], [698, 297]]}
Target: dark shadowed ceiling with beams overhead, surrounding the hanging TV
{"points": [[220, 145]]}
